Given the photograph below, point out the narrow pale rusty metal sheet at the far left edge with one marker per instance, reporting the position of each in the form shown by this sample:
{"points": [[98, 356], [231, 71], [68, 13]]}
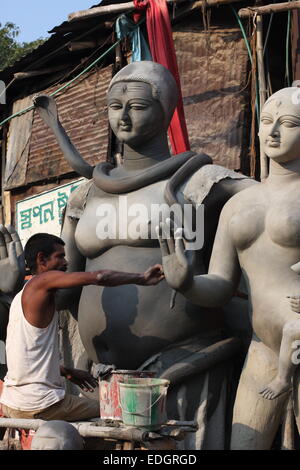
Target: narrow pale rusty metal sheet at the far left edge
{"points": [[18, 145]]}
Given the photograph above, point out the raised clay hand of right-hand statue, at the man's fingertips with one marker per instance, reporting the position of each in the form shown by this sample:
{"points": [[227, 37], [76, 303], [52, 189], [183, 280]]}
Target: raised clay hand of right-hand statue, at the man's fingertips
{"points": [[177, 263]]}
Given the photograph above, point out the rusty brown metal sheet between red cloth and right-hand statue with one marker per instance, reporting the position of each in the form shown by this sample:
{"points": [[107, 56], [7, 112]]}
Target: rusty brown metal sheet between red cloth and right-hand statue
{"points": [[214, 72]]}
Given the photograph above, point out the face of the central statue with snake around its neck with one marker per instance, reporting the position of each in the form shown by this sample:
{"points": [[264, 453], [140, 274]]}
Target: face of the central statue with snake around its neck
{"points": [[134, 115]]}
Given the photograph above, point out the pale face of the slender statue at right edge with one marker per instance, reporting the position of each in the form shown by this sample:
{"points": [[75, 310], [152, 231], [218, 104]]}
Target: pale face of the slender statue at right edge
{"points": [[279, 130]]}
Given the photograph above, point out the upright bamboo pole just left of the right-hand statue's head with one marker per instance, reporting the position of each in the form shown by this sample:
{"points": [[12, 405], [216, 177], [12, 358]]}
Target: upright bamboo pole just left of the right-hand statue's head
{"points": [[262, 87]]}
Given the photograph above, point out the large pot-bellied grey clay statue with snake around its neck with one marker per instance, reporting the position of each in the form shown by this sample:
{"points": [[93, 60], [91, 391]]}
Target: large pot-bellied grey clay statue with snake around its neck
{"points": [[129, 325]]}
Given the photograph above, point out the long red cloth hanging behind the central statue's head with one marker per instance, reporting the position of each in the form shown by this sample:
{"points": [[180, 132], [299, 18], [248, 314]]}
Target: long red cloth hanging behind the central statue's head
{"points": [[163, 52]]}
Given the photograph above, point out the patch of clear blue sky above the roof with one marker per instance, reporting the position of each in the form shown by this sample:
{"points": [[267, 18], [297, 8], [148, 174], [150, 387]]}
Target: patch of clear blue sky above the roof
{"points": [[36, 17]]}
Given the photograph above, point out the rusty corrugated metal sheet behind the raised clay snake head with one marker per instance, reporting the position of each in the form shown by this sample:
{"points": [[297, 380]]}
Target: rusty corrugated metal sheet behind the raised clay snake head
{"points": [[82, 111]]}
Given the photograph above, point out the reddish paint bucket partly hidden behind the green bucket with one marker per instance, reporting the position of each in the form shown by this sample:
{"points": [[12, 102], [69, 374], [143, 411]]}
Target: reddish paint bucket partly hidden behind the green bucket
{"points": [[109, 391]]}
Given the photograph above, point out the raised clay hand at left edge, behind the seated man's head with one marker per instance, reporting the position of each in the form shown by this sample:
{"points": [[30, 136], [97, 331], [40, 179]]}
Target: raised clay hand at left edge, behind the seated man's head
{"points": [[12, 262]]}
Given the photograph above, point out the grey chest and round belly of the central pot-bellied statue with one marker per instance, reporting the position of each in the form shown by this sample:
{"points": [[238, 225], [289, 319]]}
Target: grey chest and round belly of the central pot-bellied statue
{"points": [[124, 325]]}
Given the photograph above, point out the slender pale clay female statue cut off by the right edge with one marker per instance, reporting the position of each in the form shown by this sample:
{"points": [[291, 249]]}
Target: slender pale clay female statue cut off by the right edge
{"points": [[259, 235]]}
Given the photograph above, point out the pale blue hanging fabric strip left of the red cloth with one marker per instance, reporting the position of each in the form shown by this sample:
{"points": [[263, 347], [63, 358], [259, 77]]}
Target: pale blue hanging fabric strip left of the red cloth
{"points": [[126, 27]]}
